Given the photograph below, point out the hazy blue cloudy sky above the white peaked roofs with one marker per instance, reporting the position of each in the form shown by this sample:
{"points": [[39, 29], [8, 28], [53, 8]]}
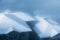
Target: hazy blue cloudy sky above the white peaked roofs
{"points": [[49, 8]]}
